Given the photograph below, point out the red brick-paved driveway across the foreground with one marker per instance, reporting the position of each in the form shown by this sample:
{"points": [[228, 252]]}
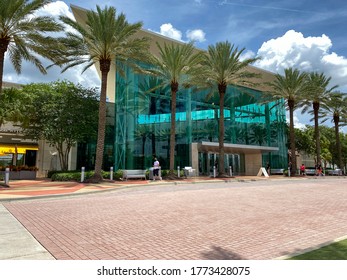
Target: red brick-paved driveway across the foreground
{"points": [[233, 220]]}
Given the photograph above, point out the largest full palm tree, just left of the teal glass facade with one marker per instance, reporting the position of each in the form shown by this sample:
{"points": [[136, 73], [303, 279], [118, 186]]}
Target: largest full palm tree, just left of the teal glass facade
{"points": [[104, 38]]}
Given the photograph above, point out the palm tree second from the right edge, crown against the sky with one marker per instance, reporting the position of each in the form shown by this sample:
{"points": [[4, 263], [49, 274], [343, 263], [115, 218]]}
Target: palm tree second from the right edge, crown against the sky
{"points": [[317, 95]]}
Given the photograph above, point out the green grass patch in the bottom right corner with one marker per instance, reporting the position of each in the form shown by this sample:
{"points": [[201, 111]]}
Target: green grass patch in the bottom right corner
{"points": [[334, 251]]}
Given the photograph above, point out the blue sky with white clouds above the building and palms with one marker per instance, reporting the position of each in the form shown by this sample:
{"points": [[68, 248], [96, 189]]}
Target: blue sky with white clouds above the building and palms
{"points": [[308, 34]]}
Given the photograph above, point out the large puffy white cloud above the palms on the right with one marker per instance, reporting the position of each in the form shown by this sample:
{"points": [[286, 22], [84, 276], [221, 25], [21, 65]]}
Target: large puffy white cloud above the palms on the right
{"points": [[304, 53]]}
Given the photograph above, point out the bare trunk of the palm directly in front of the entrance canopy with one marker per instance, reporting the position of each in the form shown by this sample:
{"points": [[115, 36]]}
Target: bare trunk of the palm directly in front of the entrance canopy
{"points": [[222, 90]]}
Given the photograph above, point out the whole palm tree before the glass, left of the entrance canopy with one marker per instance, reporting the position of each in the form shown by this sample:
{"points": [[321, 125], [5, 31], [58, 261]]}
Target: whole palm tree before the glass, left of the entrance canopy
{"points": [[176, 65]]}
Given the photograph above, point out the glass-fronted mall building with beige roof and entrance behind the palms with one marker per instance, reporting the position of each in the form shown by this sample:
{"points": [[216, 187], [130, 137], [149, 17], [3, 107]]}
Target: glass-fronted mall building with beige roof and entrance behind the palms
{"points": [[138, 124]]}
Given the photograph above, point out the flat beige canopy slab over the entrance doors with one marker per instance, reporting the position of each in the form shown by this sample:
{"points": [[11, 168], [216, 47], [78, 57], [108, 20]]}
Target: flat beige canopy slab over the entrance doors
{"points": [[212, 147]]}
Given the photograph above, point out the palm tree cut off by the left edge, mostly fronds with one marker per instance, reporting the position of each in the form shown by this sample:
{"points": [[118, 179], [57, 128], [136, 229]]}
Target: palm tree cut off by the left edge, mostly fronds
{"points": [[21, 34]]}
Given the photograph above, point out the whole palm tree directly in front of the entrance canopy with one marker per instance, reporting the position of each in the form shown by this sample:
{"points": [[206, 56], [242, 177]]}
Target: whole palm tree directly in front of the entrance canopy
{"points": [[222, 67]]}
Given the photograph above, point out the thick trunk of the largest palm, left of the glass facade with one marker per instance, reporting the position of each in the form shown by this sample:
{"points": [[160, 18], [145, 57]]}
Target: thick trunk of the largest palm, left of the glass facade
{"points": [[104, 68]]}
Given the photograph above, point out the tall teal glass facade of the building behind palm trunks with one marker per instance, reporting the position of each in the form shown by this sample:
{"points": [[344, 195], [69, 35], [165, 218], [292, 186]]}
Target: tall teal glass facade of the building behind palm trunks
{"points": [[141, 123]]}
